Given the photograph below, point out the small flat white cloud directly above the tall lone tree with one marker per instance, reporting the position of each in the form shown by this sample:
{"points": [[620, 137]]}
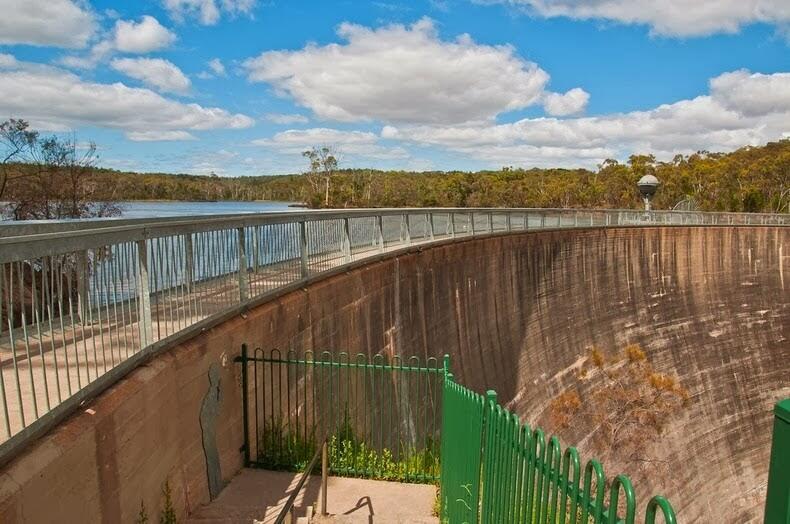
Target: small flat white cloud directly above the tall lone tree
{"points": [[355, 143]]}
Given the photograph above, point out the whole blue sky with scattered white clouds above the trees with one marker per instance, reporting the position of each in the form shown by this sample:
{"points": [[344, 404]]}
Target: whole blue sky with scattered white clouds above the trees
{"points": [[243, 86]]}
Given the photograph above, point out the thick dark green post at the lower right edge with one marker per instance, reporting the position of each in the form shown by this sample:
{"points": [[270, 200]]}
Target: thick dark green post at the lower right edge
{"points": [[777, 503]]}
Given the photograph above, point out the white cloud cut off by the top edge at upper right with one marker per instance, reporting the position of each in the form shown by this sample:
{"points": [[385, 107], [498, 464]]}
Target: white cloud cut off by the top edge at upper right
{"points": [[666, 17]]}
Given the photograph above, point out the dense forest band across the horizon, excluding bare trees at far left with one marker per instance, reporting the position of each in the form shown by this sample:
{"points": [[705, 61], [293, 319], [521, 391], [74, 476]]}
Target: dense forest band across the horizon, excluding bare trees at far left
{"points": [[749, 179]]}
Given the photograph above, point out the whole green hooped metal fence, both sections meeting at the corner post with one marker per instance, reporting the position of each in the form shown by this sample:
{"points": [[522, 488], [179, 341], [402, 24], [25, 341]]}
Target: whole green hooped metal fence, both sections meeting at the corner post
{"points": [[381, 417]]}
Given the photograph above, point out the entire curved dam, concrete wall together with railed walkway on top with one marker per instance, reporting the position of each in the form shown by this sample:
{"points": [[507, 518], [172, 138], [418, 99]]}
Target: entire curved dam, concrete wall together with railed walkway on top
{"points": [[109, 330]]}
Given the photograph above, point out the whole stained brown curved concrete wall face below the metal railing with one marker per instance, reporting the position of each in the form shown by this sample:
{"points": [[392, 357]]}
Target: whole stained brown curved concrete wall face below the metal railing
{"points": [[516, 313]]}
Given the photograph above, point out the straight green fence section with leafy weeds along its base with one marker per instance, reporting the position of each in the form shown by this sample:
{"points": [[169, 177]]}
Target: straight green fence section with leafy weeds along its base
{"points": [[381, 414]]}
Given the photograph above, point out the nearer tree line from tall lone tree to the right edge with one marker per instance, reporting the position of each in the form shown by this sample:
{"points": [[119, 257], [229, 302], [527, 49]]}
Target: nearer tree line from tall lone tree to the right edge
{"points": [[751, 179]]}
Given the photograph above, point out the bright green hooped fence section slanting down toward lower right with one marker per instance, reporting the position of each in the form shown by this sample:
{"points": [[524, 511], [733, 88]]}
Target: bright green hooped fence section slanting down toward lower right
{"points": [[495, 469]]}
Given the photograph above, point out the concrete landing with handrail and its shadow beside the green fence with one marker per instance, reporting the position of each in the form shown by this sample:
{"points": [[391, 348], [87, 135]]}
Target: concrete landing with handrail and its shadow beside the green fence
{"points": [[256, 495]]}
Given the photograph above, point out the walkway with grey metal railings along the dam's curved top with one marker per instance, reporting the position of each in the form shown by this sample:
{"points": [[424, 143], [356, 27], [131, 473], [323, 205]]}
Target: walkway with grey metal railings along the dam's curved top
{"points": [[83, 303]]}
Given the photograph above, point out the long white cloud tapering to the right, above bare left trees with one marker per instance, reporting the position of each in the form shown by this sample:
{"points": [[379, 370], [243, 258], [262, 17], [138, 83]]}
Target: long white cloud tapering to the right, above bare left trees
{"points": [[52, 98]]}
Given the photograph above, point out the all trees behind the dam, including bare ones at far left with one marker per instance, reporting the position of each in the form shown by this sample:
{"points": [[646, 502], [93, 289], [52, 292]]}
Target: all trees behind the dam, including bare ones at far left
{"points": [[51, 177]]}
